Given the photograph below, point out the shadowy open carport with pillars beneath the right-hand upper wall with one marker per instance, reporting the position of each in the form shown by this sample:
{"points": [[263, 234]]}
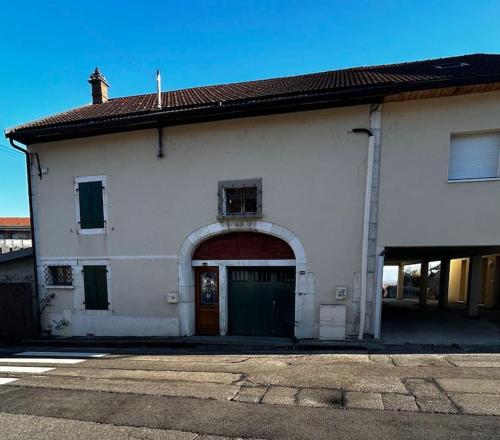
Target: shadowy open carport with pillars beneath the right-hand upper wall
{"points": [[442, 295]]}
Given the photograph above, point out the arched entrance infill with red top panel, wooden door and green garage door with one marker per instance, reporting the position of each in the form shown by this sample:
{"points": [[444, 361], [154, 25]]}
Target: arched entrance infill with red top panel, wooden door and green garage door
{"points": [[260, 292]]}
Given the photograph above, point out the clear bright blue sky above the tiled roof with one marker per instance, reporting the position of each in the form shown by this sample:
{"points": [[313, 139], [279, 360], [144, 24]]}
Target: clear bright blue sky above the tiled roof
{"points": [[49, 48]]}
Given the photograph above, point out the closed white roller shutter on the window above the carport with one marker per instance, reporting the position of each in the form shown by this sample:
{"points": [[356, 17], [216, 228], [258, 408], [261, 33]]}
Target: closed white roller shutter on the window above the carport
{"points": [[474, 156]]}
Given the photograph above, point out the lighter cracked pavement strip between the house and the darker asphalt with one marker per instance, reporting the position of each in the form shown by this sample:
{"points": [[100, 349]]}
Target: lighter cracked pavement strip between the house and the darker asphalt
{"points": [[462, 383]]}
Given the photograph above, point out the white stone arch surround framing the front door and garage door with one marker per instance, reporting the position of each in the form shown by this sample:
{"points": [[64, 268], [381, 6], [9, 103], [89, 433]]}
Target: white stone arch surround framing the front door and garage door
{"points": [[304, 280]]}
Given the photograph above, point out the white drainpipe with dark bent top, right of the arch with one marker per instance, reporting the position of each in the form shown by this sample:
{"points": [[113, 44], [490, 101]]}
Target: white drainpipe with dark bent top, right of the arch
{"points": [[366, 224]]}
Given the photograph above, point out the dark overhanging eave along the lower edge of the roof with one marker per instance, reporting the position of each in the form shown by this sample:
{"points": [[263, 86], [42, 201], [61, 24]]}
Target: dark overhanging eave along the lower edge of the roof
{"points": [[231, 110]]}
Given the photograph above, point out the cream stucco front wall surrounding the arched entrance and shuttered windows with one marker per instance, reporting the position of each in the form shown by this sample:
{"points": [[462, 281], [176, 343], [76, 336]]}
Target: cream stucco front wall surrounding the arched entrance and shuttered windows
{"points": [[313, 173]]}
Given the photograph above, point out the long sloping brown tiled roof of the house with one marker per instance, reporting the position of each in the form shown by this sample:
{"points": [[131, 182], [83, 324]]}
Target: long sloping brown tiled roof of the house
{"points": [[388, 79]]}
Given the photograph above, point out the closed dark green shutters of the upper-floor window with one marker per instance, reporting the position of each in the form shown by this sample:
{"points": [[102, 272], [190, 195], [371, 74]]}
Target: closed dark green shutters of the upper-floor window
{"points": [[91, 205]]}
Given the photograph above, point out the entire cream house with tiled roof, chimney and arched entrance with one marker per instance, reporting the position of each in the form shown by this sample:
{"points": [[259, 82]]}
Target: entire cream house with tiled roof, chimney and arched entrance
{"points": [[268, 207]]}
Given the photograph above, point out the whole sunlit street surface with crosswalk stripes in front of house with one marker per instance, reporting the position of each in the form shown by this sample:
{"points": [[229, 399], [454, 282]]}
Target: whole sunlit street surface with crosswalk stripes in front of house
{"points": [[172, 394]]}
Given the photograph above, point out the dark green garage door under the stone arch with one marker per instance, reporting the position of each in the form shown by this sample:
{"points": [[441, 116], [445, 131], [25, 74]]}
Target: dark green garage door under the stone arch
{"points": [[261, 301]]}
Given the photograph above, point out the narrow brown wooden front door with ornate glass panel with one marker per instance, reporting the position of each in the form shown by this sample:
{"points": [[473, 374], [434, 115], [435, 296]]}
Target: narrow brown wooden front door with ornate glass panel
{"points": [[207, 300]]}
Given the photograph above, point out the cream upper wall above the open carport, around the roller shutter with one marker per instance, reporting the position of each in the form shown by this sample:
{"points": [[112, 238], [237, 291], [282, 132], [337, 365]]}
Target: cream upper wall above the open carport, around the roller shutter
{"points": [[418, 207]]}
